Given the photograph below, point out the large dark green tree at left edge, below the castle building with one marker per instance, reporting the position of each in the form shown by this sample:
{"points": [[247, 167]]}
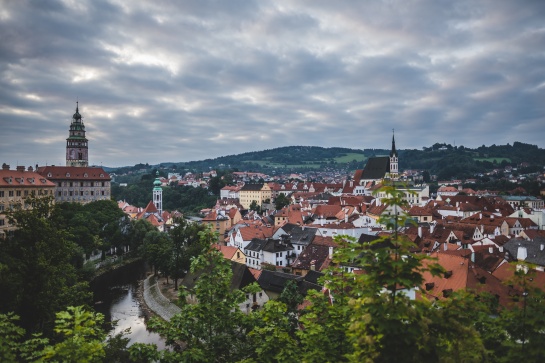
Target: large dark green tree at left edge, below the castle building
{"points": [[39, 276]]}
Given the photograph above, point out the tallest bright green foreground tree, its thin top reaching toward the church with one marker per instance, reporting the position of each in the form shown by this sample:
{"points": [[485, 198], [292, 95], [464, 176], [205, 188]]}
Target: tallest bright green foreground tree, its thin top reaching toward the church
{"points": [[365, 316]]}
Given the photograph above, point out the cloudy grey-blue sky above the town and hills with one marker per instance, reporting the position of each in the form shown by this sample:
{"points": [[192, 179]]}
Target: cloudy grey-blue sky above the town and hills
{"points": [[187, 80]]}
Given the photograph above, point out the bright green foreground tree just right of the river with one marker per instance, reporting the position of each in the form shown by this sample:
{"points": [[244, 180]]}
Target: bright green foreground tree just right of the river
{"points": [[214, 328]]}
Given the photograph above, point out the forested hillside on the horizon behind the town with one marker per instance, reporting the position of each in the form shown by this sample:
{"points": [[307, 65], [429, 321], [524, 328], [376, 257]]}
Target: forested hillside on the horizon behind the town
{"points": [[444, 160]]}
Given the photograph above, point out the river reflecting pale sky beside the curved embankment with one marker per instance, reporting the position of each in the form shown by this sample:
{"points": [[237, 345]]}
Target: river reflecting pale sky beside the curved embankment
{"points": [[116, 297]]}
